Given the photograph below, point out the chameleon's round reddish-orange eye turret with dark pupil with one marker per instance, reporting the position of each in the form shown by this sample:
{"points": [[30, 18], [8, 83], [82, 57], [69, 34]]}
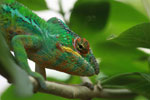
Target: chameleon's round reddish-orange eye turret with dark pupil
{"points": [[81, 45]]}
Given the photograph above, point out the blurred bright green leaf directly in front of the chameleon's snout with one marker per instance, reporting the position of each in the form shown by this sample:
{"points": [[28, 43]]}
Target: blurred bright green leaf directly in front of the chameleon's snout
{"points": [[117, 59]]}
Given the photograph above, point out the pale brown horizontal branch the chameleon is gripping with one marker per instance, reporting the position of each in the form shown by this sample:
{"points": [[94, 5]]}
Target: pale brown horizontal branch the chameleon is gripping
{"points": [[82, 92]]}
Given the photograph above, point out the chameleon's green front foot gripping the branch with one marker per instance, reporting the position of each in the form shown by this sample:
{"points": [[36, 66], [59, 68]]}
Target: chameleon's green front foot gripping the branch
{"points": [[39, 79]]}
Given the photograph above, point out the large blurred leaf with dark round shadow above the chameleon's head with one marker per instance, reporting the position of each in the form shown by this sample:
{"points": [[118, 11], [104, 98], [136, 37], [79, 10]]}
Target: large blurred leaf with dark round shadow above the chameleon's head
{"points": [[116, 16]]}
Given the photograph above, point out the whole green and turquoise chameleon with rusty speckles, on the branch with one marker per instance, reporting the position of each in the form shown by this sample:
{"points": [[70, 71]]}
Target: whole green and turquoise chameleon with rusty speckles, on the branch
{"points": [[49, 44]]}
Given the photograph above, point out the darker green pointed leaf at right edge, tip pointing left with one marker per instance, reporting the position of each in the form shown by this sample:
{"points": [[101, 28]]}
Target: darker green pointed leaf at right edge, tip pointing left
{"points": [[137, 36]]}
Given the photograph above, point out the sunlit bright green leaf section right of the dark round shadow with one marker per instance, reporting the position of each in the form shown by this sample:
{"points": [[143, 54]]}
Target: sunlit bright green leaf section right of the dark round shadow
{"points": [[122, 17]]}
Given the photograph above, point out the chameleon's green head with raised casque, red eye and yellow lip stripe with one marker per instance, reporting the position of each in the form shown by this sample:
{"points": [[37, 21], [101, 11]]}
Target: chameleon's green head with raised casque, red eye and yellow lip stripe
{"points": [[74, 55]]}
